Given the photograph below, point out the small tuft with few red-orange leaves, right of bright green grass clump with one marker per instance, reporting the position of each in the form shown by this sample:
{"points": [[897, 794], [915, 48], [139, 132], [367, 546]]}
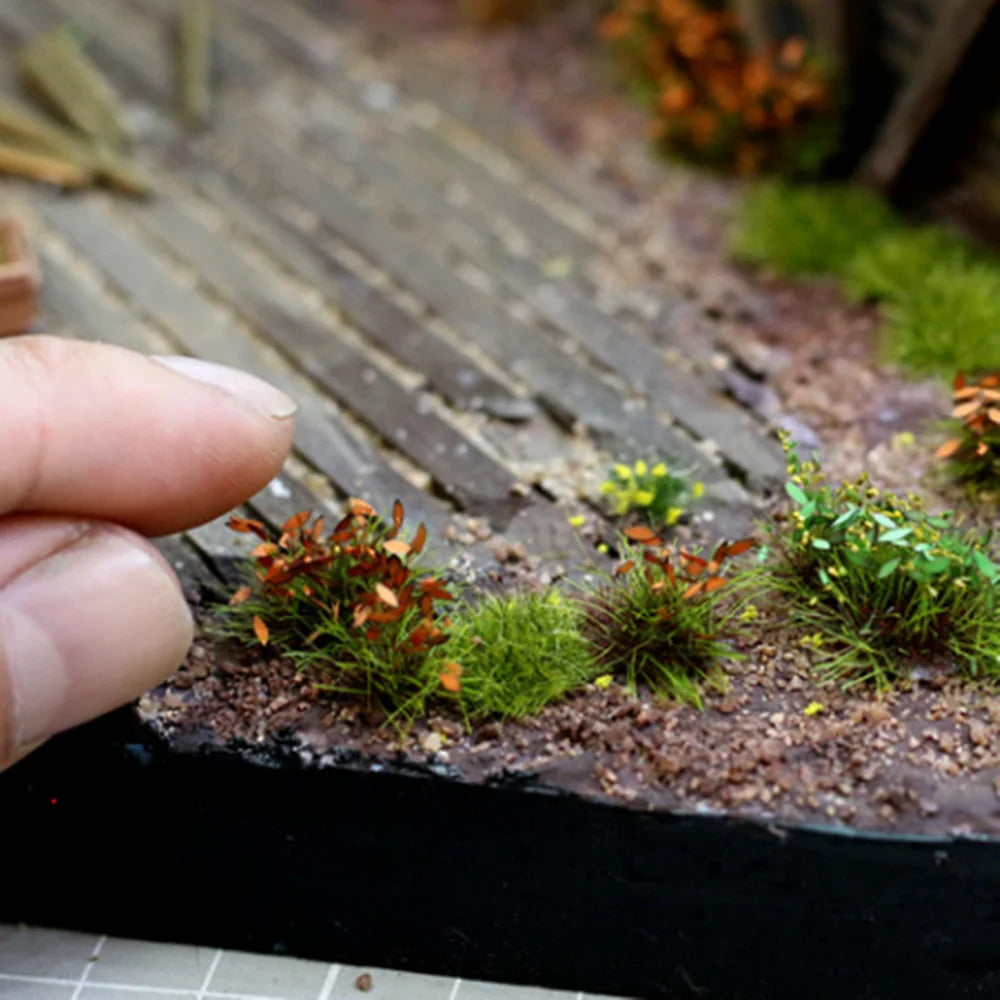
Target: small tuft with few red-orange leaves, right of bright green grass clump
{"points": [[663, 619]]}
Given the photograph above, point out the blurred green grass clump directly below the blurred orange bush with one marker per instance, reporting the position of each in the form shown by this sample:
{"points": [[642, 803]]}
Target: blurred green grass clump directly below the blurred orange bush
{"points": [[808, 230]]}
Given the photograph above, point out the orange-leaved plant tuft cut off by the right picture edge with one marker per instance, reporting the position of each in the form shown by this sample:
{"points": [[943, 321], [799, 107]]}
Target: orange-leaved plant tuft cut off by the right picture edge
{"points": [[974, 453]]}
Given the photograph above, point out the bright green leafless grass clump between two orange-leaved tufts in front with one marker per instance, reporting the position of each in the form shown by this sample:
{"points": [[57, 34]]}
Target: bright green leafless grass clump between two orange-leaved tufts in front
{"points": [[517, 653]]}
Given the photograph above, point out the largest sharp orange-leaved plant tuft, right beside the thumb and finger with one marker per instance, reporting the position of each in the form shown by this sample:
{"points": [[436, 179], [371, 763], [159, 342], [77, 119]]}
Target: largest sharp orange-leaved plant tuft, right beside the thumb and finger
{"points": [[347, 605]]}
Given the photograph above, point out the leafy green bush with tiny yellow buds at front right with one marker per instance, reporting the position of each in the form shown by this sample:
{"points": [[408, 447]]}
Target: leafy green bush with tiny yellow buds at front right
{"points": [[882, 583]]}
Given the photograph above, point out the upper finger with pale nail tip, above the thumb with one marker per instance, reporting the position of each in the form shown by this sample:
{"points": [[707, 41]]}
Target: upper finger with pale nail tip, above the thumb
{"points": [[158, 445]]}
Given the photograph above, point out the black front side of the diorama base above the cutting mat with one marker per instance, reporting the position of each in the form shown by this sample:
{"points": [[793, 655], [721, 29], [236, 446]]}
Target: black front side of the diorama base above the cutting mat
{"points": [[109, 831]]}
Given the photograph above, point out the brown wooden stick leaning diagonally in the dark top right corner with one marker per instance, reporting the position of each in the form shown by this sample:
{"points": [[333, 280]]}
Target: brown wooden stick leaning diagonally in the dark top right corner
{"points": [[956, 26]]}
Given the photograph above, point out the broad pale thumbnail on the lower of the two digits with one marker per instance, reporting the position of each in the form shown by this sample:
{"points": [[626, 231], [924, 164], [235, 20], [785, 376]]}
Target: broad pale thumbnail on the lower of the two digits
{"points": [[87, 628]]}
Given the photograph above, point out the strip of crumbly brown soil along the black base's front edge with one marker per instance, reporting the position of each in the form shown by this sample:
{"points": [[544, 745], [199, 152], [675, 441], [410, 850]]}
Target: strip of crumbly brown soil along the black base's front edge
{"points": [[926, 759]]}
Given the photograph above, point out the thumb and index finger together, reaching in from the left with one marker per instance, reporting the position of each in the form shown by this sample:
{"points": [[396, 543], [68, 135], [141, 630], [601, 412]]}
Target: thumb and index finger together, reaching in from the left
{"points": [[99, 448]]}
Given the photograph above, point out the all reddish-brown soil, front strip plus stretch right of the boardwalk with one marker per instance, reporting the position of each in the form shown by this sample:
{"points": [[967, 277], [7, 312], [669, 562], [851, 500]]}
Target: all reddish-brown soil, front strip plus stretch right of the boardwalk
{"points": [[924, 759]]}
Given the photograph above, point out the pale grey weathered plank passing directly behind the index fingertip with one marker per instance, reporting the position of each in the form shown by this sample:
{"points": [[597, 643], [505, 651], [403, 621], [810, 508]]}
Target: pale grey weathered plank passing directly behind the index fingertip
{"points": [[142, 277]]}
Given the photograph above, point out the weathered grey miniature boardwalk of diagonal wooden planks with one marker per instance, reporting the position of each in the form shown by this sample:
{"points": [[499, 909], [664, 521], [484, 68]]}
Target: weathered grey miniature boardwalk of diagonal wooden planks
{"points": [[405, 263]]}
